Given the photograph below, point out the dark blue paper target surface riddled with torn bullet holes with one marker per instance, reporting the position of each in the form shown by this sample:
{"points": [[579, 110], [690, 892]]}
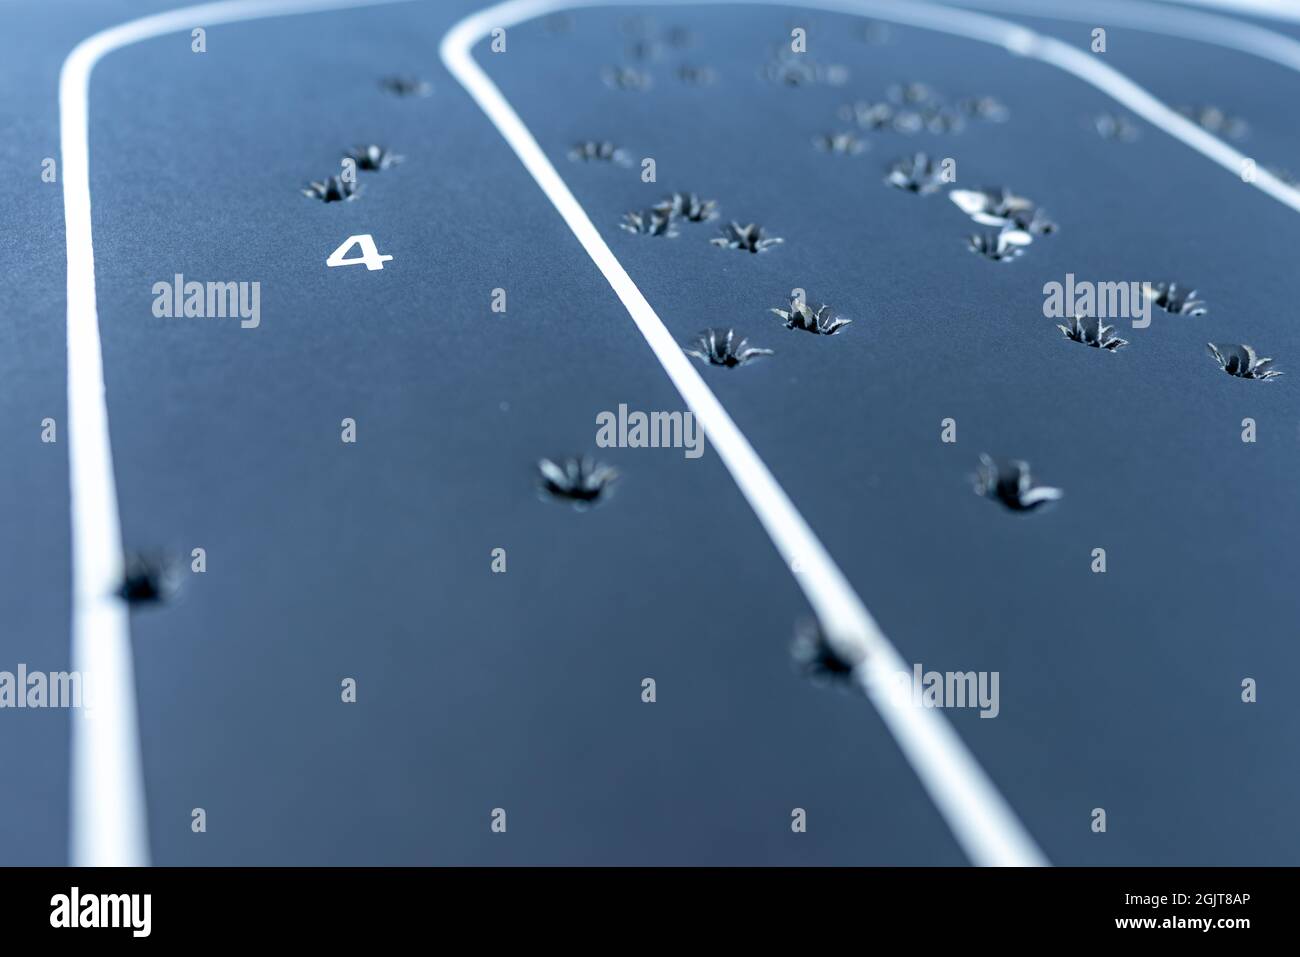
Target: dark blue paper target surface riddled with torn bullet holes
{"points": [[523, 690]]}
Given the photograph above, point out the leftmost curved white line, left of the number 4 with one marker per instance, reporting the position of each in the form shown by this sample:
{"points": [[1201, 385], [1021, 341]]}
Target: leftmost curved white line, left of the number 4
{"points": [[109, 824]]}
